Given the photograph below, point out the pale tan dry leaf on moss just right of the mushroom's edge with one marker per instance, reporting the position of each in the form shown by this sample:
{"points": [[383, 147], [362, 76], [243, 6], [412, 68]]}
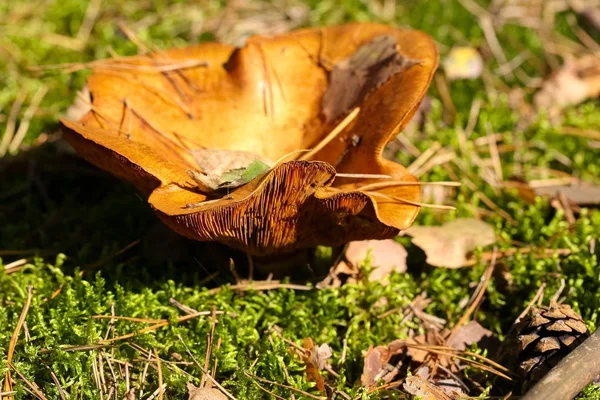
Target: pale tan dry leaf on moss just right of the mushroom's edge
{"points": [[449, 245]]}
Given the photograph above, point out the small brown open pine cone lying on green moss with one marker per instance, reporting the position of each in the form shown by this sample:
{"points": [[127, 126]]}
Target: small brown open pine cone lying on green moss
{"points": [[546, 336]]}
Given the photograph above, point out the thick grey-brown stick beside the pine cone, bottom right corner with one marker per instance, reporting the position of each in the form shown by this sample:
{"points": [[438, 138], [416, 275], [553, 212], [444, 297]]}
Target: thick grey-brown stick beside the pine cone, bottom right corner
{"points": [[571, 374]]}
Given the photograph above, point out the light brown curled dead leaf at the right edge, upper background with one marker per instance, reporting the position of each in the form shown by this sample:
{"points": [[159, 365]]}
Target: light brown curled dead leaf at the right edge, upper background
{"points": [[577, 81]]}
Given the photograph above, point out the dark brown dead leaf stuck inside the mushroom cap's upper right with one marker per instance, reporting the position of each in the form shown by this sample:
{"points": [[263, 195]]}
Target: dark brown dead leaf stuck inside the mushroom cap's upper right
{"points": [[358, 75]]}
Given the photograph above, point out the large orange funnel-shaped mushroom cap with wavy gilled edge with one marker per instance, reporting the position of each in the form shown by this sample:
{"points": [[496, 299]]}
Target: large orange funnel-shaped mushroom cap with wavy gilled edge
{"points": [[150, 113]]}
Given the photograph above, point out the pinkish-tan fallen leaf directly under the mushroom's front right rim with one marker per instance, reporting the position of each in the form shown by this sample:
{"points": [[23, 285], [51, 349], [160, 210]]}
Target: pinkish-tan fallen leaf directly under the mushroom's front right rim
{"points": [[386, 256]]}
